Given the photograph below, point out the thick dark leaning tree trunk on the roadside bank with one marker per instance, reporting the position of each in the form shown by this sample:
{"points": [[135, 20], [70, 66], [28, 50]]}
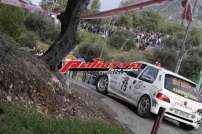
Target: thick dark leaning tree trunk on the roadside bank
{"points": [[67, 39]]}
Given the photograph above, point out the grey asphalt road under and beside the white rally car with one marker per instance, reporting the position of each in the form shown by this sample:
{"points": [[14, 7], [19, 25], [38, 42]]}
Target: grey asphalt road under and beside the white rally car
{"points": [[126, 115]]}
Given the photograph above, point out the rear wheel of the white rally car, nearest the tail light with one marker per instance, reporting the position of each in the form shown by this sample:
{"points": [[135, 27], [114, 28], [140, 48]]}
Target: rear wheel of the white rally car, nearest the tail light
{"points": [[144, 107]]}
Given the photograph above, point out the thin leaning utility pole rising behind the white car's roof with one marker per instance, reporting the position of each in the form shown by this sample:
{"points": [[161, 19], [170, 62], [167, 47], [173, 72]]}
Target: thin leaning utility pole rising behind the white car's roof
{"points": [[184, 51]]}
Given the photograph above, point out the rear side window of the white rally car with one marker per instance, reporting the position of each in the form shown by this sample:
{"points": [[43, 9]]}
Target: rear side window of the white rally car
{"points": [[149, 75]]}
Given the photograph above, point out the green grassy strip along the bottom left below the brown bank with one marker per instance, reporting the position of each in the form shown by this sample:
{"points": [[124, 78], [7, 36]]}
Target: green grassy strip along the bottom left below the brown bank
{"points": [[14, 120]]}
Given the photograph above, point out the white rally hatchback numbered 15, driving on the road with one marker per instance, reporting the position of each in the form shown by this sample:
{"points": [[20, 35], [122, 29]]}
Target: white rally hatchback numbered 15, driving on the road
{"points": [[150, 88]]}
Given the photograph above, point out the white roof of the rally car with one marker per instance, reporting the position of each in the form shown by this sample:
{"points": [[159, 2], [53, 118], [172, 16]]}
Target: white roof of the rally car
{"points": [[166, 71]]}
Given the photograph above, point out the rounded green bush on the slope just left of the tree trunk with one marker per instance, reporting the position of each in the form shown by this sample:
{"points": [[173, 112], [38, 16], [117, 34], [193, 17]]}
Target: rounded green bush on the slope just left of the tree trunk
{"points": [[44, 26]]}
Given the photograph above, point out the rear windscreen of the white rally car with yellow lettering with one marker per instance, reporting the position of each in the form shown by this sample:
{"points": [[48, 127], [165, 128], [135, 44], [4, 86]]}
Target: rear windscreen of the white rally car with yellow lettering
{"points": [[182, 87]]}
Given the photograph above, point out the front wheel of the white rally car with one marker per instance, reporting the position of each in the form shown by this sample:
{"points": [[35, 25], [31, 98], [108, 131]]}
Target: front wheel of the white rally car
{"points": [[102, 84]]}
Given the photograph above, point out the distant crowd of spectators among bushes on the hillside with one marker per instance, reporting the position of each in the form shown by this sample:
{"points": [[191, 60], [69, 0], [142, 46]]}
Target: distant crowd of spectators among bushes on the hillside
{"points": [[143, 39]]}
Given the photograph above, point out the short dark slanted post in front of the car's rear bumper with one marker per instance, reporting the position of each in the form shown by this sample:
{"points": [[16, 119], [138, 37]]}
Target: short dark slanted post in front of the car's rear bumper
{"points": [[158, 121]]}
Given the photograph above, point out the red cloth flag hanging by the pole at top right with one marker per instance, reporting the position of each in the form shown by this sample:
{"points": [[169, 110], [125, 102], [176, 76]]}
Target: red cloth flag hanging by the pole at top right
{"points": [[187, 11]]}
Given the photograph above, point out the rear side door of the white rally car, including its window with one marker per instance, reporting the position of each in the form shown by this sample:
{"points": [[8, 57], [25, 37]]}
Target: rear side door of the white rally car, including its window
{"points": [[144, 83]]}
